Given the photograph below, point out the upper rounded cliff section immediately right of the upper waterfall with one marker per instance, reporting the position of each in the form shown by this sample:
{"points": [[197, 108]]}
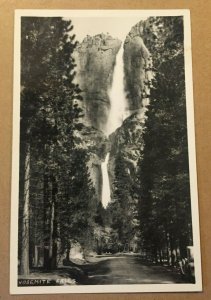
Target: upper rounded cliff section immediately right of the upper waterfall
{"points": [[137, 67]]}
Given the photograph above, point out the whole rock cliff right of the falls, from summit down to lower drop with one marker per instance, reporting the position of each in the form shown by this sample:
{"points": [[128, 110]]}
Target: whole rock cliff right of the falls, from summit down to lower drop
{"points": [[127, 141]]}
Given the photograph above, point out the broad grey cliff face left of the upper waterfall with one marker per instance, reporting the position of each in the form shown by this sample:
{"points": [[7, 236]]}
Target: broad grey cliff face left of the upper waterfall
{"points": [[95, 59]]}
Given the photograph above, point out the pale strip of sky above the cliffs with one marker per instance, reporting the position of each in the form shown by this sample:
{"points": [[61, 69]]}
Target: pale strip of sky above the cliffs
{"points": [[116, 27]]}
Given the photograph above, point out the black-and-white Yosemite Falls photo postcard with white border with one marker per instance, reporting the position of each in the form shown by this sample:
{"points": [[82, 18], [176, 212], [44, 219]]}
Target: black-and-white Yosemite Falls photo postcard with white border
{"points": [[104, 186]]}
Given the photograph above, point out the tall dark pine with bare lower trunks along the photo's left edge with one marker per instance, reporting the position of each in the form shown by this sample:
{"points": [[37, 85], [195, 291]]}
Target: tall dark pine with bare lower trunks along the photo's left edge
{"points": [[49, 114]]}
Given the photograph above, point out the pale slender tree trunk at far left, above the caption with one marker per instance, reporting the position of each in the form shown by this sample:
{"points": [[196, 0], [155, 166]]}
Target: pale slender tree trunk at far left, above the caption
{"points": [[24, 263]]}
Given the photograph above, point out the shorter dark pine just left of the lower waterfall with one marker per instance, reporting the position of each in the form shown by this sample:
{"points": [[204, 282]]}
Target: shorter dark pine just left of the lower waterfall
{"points": [[77, 203]]}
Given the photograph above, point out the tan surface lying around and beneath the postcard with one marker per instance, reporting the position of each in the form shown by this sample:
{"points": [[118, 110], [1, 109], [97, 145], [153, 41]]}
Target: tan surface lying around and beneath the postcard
{"points": [[201, 51]]}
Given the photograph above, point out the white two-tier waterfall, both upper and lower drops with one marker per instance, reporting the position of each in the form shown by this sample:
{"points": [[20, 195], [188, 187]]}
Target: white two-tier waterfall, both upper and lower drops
{"points": [[117, 114]]}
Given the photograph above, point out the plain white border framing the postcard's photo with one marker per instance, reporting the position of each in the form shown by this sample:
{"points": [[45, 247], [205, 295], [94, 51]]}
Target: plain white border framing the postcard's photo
{"points": [[132, 288]]}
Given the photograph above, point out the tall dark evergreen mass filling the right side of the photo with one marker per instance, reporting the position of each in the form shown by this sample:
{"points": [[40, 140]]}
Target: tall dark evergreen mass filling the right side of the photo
{"points": [[164, 205]]}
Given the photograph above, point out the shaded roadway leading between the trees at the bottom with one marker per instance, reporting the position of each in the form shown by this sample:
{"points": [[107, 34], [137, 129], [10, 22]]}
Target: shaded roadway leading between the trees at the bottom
{"points": [[128, 269]]}
